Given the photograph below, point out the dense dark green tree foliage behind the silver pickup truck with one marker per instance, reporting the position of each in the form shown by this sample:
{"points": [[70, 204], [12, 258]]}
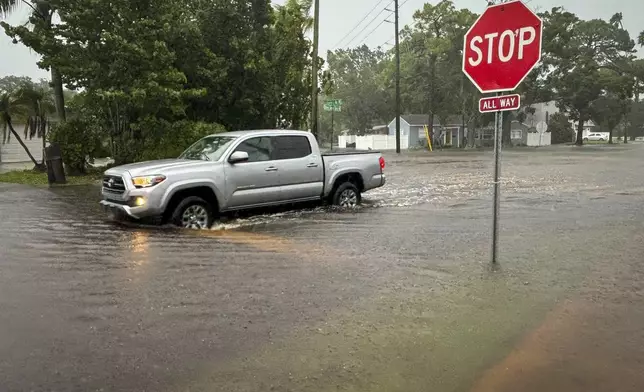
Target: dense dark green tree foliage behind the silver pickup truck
{"points": [[156, 71]]}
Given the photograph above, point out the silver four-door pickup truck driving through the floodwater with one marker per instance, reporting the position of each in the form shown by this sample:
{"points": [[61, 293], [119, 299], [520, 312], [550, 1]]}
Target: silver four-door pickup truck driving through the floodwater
{"points": [[239, 170]]}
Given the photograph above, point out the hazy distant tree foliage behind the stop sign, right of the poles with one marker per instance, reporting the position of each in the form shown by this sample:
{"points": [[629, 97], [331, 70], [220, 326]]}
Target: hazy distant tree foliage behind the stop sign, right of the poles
{"points": [[588, 69]]}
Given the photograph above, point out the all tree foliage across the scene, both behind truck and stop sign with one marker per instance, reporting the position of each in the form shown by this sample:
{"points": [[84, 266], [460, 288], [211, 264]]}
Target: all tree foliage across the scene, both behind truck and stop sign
{"points": [[155, 73]]}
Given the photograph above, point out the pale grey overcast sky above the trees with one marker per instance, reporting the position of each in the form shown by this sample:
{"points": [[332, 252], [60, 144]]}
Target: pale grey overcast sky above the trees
{"points": [[339, 17]]}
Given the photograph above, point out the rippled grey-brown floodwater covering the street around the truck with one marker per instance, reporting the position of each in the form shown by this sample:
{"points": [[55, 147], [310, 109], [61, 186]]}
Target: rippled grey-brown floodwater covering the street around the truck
{"points": [[398, 295]]}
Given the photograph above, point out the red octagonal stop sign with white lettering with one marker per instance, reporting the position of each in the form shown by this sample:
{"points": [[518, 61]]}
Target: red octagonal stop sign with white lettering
{"points": [[502, 47]]}
